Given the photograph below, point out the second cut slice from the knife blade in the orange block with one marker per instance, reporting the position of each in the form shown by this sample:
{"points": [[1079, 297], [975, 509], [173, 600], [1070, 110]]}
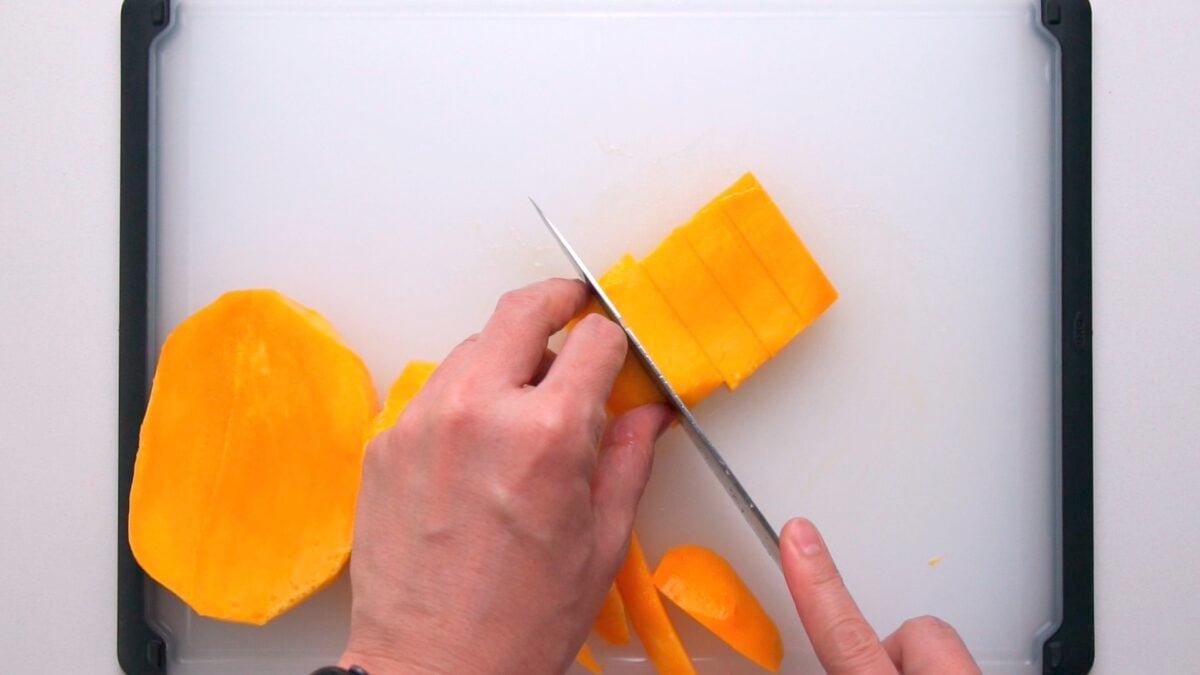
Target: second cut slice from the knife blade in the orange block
{"points": [[704, 308]]}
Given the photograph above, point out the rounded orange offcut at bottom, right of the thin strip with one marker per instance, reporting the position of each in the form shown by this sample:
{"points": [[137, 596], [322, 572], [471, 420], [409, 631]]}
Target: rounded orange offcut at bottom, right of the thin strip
{"points": [[706, 587]]}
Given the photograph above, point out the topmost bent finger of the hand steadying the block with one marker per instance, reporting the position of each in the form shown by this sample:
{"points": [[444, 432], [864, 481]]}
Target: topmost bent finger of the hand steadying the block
{"points": [[514, 341]]}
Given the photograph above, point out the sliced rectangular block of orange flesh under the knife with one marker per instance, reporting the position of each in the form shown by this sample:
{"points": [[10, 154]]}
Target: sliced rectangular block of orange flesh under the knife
{"points": [[736, 258]]}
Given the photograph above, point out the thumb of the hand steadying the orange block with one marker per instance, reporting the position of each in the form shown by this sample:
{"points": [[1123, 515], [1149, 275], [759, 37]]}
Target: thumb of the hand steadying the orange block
{"points": [[627, 453]]}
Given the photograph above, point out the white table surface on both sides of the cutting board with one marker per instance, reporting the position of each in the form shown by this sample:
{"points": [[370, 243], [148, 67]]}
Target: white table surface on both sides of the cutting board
{"points": [[59, 148]]}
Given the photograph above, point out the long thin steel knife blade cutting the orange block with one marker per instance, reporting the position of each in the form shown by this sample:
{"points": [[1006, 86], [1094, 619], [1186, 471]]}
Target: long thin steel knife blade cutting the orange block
{"points": [[734, 488]]}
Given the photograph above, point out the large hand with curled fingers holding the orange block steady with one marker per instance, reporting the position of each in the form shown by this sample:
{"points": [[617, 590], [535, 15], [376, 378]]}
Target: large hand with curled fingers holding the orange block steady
{"points": [[488, 527]]}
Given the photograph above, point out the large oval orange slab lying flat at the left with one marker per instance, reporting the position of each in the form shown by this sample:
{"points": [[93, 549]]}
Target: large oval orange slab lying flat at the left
{"points": [[248, 385]]}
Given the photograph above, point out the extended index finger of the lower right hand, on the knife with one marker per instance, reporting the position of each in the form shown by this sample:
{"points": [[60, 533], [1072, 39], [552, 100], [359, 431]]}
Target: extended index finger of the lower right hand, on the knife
{"points": [[843, 640]]}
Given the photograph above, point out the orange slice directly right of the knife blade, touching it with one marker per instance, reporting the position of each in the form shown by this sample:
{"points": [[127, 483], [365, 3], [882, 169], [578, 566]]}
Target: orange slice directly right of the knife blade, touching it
{"points": [[668, 341]]}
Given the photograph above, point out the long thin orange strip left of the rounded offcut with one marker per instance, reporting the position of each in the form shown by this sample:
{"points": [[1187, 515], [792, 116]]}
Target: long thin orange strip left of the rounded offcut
{"points": [[649, 617]]}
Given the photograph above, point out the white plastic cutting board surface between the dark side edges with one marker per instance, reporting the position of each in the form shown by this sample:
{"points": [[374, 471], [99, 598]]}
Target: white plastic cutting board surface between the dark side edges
{"points": [[373, 160]]}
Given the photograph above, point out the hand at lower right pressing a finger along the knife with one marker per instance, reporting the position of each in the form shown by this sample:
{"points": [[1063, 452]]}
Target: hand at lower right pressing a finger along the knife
{"points": [[843, 640]]}
